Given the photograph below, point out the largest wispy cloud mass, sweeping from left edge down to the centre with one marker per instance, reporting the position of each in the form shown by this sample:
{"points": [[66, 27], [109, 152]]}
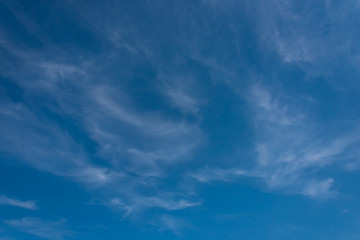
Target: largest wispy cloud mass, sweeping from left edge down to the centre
{"points": [[128, 138]]}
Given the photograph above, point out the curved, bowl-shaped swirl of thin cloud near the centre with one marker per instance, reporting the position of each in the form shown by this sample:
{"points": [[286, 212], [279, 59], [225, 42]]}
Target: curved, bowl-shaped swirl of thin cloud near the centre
{"points": [[166, 140]]}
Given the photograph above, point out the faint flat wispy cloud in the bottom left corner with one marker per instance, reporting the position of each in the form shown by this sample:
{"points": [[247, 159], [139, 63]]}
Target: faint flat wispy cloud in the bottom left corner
{"points": [[56, 230]]}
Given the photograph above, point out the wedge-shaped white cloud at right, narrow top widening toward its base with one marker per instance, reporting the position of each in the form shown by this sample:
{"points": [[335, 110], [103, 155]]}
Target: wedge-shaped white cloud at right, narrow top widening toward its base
{"points": [[290, 147]]}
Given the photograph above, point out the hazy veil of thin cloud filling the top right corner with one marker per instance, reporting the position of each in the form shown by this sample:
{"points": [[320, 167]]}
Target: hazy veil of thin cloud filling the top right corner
{"points": [[290, 31]]}
